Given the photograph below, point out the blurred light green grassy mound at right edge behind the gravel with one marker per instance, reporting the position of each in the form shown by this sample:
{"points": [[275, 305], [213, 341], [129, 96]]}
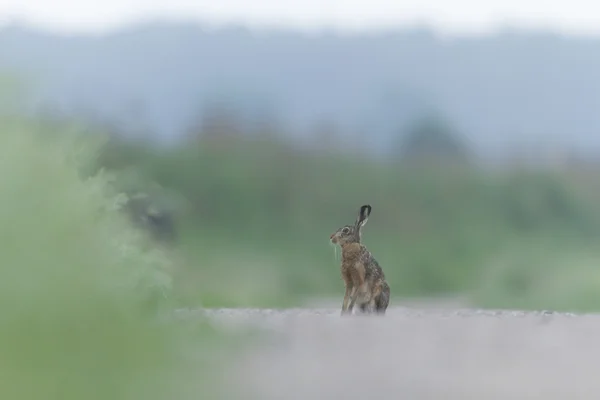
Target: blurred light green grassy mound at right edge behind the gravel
{"points": [[551, 273]]}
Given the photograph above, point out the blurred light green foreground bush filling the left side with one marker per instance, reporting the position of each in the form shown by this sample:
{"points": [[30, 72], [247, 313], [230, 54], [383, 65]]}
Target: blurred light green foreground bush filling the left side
{"points": [[81, 289]]}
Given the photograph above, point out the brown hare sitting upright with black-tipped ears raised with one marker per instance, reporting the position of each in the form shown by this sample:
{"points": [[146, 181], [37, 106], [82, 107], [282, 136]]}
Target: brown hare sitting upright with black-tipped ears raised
{"points": [[364, 279]]}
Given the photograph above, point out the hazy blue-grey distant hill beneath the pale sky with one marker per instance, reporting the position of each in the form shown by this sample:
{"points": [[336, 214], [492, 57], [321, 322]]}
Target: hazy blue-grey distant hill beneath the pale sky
{"points": [[512, 88]]}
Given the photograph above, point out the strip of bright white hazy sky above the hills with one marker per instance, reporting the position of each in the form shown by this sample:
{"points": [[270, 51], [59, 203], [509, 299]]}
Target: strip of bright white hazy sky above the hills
{"points": [[448, 16]]}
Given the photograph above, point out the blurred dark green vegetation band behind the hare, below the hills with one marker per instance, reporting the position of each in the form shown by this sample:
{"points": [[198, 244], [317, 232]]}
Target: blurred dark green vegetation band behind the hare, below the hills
{"points": [[250, 215]]}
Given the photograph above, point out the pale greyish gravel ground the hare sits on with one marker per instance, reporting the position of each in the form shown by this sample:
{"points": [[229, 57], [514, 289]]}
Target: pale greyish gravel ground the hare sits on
{"points": [[423, 352]]}
